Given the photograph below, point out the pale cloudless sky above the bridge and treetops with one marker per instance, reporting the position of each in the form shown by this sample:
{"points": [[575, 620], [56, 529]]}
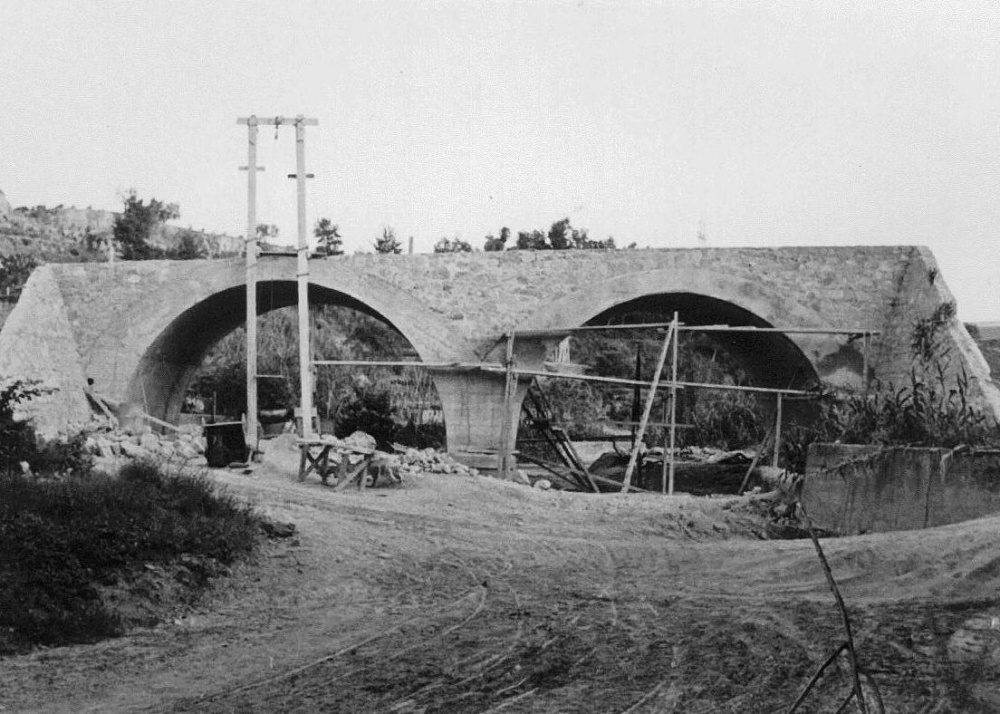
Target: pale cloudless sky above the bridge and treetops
{"points": [[671, 124]]}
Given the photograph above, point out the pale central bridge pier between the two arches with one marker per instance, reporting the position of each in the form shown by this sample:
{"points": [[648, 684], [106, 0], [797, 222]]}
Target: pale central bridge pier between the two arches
{"points": [[473, 405]]}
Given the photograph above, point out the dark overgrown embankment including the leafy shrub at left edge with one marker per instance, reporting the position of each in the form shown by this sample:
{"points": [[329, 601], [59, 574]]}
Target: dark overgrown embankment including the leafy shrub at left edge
{"points": [[85, 555]]}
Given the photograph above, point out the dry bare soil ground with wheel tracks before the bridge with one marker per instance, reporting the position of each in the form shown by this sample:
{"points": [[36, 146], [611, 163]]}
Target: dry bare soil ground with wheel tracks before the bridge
{"points": [[459, 594]]}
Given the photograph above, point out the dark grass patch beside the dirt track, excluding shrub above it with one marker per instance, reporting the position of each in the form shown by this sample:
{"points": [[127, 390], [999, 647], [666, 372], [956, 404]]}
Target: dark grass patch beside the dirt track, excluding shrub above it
{"points": [[64, 542]]}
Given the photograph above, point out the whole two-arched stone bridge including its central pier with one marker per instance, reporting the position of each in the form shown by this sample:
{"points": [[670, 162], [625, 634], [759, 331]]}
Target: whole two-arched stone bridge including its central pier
{"points": [[141, 329]]}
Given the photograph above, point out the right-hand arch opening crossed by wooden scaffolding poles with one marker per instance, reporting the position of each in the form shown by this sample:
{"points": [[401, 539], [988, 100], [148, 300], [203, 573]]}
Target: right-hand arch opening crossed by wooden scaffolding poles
{"points": [[707, 418]]}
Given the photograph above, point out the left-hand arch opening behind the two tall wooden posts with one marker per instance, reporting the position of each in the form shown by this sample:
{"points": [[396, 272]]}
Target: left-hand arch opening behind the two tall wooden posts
{"points": [[199, 359]]}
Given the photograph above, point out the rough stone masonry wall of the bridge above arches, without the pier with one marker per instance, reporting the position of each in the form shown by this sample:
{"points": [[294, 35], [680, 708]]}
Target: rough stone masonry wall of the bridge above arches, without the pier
{"points": [[454, 307]]}
